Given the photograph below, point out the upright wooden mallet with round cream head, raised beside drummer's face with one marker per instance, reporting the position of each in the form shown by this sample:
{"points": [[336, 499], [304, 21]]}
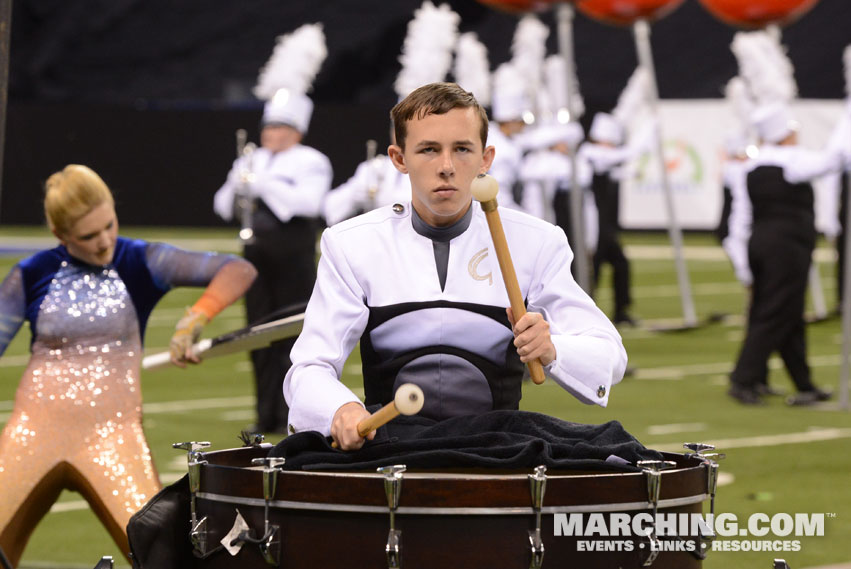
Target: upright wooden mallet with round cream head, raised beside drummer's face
{"points": [[485, 188]]}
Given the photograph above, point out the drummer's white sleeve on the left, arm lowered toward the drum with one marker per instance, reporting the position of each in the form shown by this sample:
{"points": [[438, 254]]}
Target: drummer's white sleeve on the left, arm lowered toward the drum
{"points": [[335, 318]]}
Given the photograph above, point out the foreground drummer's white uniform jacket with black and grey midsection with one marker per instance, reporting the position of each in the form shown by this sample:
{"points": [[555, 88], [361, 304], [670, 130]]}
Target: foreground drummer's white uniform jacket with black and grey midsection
{"points": [[378, 275]]}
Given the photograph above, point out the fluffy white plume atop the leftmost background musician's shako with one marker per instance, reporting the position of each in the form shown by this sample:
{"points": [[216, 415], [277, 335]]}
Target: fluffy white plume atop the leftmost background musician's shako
{"points": [[294, 62]]}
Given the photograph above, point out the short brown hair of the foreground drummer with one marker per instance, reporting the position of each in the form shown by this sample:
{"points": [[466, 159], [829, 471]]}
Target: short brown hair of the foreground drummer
{"points": [[435, 99]]}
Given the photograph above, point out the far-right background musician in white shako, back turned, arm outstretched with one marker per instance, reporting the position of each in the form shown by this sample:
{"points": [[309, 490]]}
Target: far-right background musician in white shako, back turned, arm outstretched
{"points": [[771, 239]]}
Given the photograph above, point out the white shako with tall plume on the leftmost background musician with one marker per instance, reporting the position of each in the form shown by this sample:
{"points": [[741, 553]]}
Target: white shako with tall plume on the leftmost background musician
{"points": [[288, 76]]}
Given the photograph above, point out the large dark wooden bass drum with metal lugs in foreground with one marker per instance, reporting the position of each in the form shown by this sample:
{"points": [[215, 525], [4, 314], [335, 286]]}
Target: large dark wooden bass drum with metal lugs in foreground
{"points": [[417, 519]]}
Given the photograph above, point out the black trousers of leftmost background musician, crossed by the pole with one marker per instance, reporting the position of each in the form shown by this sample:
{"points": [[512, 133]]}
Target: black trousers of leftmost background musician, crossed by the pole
{"points": [[284, 255]]}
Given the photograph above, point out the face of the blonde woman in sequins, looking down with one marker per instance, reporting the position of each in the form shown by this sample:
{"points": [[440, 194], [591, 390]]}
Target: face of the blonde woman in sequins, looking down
{"points": [[92, 238]]}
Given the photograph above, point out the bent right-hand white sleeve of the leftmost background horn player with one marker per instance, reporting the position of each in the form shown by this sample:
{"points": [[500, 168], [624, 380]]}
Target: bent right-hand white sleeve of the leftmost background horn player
{"points": [[299, 193]]}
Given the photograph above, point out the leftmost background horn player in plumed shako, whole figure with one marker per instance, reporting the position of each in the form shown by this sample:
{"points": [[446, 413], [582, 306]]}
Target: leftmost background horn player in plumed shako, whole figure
{"points": [[287, 182]]}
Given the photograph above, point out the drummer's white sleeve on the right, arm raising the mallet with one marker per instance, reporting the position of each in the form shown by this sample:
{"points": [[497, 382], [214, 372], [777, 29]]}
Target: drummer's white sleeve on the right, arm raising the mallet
{"points": [[590, 356]]}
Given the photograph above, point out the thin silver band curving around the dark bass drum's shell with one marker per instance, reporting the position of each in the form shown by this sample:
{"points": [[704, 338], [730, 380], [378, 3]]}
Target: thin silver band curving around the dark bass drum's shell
{"points": [[291, 505]]}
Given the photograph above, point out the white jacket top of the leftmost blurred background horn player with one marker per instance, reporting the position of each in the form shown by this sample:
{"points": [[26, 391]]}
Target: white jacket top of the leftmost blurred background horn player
{"points": [[291, 183]]}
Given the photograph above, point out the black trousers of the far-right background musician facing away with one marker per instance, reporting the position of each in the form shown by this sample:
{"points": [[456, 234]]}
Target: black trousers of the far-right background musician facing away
{"points": [[776, 316]]}
